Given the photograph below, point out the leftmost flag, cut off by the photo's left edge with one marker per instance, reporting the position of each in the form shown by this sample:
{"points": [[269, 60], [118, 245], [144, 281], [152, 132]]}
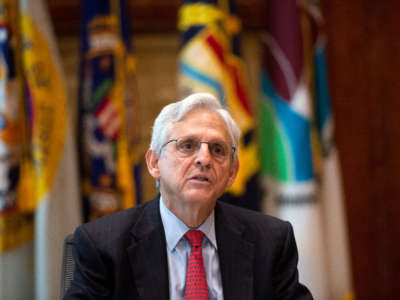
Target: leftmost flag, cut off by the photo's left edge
{"points": [[16, 223]]}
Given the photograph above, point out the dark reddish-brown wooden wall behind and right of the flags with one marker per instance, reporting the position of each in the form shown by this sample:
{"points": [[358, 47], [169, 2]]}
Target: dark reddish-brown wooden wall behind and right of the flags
{"points": [[364, 64]]}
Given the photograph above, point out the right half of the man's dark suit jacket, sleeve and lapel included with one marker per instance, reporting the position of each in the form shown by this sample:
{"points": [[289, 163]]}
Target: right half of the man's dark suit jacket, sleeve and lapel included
{"points": [[258, 255]]}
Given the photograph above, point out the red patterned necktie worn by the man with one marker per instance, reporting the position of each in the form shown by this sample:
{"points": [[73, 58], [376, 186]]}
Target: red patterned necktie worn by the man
{"points": [[196, 282]]}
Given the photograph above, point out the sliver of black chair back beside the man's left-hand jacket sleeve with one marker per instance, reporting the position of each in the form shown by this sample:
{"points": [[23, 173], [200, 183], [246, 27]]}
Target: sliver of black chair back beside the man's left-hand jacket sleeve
{"points": [[67, 269]]}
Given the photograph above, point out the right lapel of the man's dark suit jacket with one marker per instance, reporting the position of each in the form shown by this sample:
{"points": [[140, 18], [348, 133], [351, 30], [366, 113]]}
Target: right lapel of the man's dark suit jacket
{"points": [[236, 256]]}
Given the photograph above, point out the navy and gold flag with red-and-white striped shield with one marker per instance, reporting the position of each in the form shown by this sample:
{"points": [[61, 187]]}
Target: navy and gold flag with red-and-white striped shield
{"points": [[108, 141]]}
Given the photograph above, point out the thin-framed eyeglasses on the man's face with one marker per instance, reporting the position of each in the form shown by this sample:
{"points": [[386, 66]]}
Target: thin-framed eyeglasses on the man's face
{"points": [[188, 146]]}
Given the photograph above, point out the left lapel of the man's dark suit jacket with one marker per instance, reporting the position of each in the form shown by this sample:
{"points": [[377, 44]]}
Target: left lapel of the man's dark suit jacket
{"points": [[147, 255]]}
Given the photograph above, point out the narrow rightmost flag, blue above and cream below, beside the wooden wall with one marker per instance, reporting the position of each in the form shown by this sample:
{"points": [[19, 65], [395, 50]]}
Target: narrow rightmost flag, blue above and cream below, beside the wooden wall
{"points": [[331, 189]]}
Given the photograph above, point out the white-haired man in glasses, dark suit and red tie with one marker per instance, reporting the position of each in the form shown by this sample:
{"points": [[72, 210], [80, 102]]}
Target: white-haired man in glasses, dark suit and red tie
{"points": [[184, 244]]}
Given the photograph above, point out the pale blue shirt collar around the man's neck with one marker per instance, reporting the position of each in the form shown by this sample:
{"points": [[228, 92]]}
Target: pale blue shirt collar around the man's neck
{"points": [[174, 228]]}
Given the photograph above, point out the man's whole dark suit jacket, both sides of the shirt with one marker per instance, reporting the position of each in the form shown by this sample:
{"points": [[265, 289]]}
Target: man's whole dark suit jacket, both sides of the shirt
{"points": [[123, 256]]}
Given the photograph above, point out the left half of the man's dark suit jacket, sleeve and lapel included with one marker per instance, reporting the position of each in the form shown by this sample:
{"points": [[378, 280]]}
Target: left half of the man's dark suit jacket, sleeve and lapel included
{"points": [[114, 254]]}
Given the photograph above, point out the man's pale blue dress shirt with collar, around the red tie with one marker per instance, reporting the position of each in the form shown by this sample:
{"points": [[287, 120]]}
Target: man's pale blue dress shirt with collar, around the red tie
{"points": [[178, 252]]}
